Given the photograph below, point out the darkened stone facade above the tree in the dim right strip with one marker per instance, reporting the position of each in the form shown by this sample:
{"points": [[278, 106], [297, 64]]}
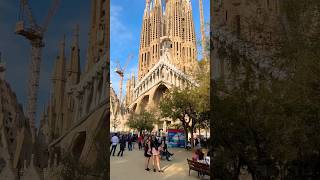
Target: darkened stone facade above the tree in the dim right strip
{"points": [[247, 28]]}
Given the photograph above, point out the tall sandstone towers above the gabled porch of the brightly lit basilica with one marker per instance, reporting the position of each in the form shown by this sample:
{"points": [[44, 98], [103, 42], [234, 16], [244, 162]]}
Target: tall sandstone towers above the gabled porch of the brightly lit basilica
{"points": [[171, 20]]}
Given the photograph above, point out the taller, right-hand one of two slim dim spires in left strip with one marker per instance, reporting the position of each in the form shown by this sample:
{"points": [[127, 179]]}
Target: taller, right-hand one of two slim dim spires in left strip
{"points": [[74, 66]]}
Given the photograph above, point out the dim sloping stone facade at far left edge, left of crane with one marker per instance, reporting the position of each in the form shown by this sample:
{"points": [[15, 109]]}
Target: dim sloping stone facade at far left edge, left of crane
{"points": [[15, 134]]}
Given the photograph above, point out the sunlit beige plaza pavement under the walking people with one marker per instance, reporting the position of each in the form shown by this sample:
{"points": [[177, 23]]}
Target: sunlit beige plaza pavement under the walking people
{"points": [[131, 166]]}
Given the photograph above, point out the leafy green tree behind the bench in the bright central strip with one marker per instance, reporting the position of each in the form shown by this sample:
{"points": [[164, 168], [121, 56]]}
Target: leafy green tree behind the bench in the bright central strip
{"points": [[190, 106]]}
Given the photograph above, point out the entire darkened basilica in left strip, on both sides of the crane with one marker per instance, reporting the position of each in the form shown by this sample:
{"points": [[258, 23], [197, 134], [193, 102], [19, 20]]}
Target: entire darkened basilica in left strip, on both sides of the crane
{"points": [[75, 114]]}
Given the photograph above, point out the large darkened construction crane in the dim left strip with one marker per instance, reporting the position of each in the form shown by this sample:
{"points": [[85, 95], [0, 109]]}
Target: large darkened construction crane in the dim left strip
{"points": [[34, 33]]}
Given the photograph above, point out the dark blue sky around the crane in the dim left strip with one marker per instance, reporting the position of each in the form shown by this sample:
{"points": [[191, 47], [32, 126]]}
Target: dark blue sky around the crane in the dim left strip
{"points": [[16, 50]]}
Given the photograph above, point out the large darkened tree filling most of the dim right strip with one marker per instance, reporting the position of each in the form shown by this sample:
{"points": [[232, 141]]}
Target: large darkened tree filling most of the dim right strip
{"points": [[266, 119]]}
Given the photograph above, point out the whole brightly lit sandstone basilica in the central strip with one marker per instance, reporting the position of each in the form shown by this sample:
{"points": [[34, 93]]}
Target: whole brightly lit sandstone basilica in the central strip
{"points": [[167, 56]]}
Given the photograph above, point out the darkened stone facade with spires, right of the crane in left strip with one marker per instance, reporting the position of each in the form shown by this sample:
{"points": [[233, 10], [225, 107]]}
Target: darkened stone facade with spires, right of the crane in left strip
{"points": [[77, 110]]}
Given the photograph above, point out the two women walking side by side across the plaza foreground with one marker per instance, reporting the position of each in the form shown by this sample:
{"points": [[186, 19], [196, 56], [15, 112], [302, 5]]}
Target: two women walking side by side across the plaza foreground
{"points": [[152, 150]]}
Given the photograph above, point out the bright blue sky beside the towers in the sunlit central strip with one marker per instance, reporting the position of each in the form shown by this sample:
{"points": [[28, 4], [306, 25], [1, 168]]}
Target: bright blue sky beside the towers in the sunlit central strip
{"points": [[125, 22]]}
